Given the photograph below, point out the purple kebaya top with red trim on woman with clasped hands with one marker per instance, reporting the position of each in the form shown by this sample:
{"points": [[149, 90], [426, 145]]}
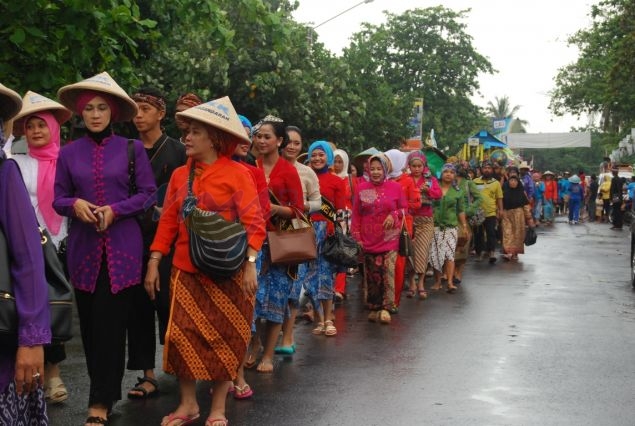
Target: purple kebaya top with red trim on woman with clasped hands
{"points": [[98, 173]]}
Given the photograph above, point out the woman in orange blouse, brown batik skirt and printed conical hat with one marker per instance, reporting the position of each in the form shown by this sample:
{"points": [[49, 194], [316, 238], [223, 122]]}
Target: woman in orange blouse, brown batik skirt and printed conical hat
{"points": [[210, 321]]}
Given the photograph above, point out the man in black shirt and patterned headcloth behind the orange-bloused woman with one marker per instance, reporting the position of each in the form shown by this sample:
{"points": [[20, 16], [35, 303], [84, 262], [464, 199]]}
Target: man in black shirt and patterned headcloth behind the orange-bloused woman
{"points": [[165, 154]]}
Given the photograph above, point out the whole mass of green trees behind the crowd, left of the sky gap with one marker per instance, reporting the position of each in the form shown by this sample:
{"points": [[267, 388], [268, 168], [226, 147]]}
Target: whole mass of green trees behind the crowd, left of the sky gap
{"points": [[255, 52]]}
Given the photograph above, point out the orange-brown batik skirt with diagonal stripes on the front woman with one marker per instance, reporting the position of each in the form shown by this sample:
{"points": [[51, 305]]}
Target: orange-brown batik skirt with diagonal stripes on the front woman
{"points": [[209, 327]]}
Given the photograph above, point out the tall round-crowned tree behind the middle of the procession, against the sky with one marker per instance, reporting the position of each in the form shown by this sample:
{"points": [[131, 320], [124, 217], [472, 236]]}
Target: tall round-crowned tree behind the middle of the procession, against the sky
{"points": [[422, 53]]}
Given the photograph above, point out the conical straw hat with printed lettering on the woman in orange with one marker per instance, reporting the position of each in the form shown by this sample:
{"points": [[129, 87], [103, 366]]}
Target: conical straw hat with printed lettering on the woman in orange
{"points": [[220, 114]]}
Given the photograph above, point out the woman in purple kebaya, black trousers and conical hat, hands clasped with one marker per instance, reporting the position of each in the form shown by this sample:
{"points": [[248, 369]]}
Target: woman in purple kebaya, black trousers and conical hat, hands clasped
{"points": [[94, 186]]}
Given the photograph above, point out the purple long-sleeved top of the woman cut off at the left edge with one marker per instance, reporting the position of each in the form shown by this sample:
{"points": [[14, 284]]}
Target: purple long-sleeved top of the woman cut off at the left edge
{"points": [[18, 222]]}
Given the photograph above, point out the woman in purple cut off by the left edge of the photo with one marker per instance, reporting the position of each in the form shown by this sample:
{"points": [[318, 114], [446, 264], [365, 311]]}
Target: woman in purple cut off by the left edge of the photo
{"points": [[22, 363]]}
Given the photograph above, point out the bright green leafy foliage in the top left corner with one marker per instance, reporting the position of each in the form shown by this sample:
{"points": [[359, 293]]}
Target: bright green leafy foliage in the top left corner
{"points": [[47, 44]]}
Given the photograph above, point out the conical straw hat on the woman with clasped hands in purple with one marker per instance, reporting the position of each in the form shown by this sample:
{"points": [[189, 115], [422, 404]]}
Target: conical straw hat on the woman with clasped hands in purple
{"points": [[99, 83]]}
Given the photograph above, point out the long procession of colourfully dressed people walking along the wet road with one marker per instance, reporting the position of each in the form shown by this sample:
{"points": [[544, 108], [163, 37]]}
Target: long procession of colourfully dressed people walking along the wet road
{"points": [[119, 208]]}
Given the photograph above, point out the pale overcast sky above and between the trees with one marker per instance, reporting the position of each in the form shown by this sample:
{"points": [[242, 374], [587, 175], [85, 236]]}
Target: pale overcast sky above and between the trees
{"points": [[524, 40]]}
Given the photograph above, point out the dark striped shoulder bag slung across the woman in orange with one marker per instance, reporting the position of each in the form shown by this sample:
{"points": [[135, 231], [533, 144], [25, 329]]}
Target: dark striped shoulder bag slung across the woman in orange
{"points": [[217, 246]]}
